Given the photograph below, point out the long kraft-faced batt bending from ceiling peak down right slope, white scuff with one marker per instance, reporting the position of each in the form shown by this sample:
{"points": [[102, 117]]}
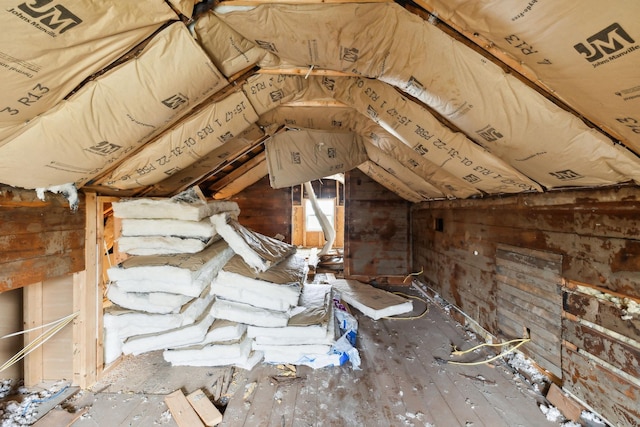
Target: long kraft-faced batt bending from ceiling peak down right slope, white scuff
{"points": [[455, 89]]}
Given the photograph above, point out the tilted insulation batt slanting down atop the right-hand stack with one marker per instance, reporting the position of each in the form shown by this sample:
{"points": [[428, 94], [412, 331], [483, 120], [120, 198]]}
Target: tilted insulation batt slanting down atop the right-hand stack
{"points": [[260, 252]]}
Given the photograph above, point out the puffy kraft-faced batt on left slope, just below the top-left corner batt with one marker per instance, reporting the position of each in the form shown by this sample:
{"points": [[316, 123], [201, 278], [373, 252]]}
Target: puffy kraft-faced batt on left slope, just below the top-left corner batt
{"points": [[112, 115]]}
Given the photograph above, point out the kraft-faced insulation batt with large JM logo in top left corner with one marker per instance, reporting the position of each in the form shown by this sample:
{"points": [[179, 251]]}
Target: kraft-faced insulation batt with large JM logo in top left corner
{"points": [[46, 52]]}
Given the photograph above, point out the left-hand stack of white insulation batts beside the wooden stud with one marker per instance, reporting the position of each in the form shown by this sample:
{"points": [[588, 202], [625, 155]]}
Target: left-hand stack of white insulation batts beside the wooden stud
{"points": [[163, 300]]}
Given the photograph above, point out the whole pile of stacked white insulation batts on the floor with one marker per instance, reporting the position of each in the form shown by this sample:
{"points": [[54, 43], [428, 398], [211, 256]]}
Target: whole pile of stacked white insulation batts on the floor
{"points": [[240, 299]]}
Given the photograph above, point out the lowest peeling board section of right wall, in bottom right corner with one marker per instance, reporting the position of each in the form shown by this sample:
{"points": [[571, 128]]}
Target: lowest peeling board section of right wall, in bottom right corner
{"points": [[609, 394]]}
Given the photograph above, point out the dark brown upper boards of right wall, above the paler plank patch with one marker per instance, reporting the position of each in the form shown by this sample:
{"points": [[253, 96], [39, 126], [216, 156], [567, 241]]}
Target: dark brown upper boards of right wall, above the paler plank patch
{"points": [[595, 230]]}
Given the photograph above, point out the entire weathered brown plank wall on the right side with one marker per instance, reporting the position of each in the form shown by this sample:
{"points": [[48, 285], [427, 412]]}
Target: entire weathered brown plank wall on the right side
{"points": [[588, 237]]}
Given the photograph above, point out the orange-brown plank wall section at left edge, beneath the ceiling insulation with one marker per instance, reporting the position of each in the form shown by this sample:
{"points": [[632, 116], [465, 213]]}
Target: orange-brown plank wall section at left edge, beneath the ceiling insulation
{"points": [[38, 239]]}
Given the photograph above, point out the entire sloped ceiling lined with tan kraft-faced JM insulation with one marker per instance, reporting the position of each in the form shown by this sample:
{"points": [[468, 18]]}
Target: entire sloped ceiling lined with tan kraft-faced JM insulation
{"points": [[439, 99]]}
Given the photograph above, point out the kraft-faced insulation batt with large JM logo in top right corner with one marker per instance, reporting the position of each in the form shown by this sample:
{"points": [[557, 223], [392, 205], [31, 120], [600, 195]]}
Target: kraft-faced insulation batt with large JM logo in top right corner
{"points": [[587, 55]]}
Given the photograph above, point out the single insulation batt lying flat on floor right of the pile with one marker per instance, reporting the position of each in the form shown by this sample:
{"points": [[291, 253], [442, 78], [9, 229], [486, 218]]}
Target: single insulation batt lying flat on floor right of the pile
{"points": [[372, 302]]}
